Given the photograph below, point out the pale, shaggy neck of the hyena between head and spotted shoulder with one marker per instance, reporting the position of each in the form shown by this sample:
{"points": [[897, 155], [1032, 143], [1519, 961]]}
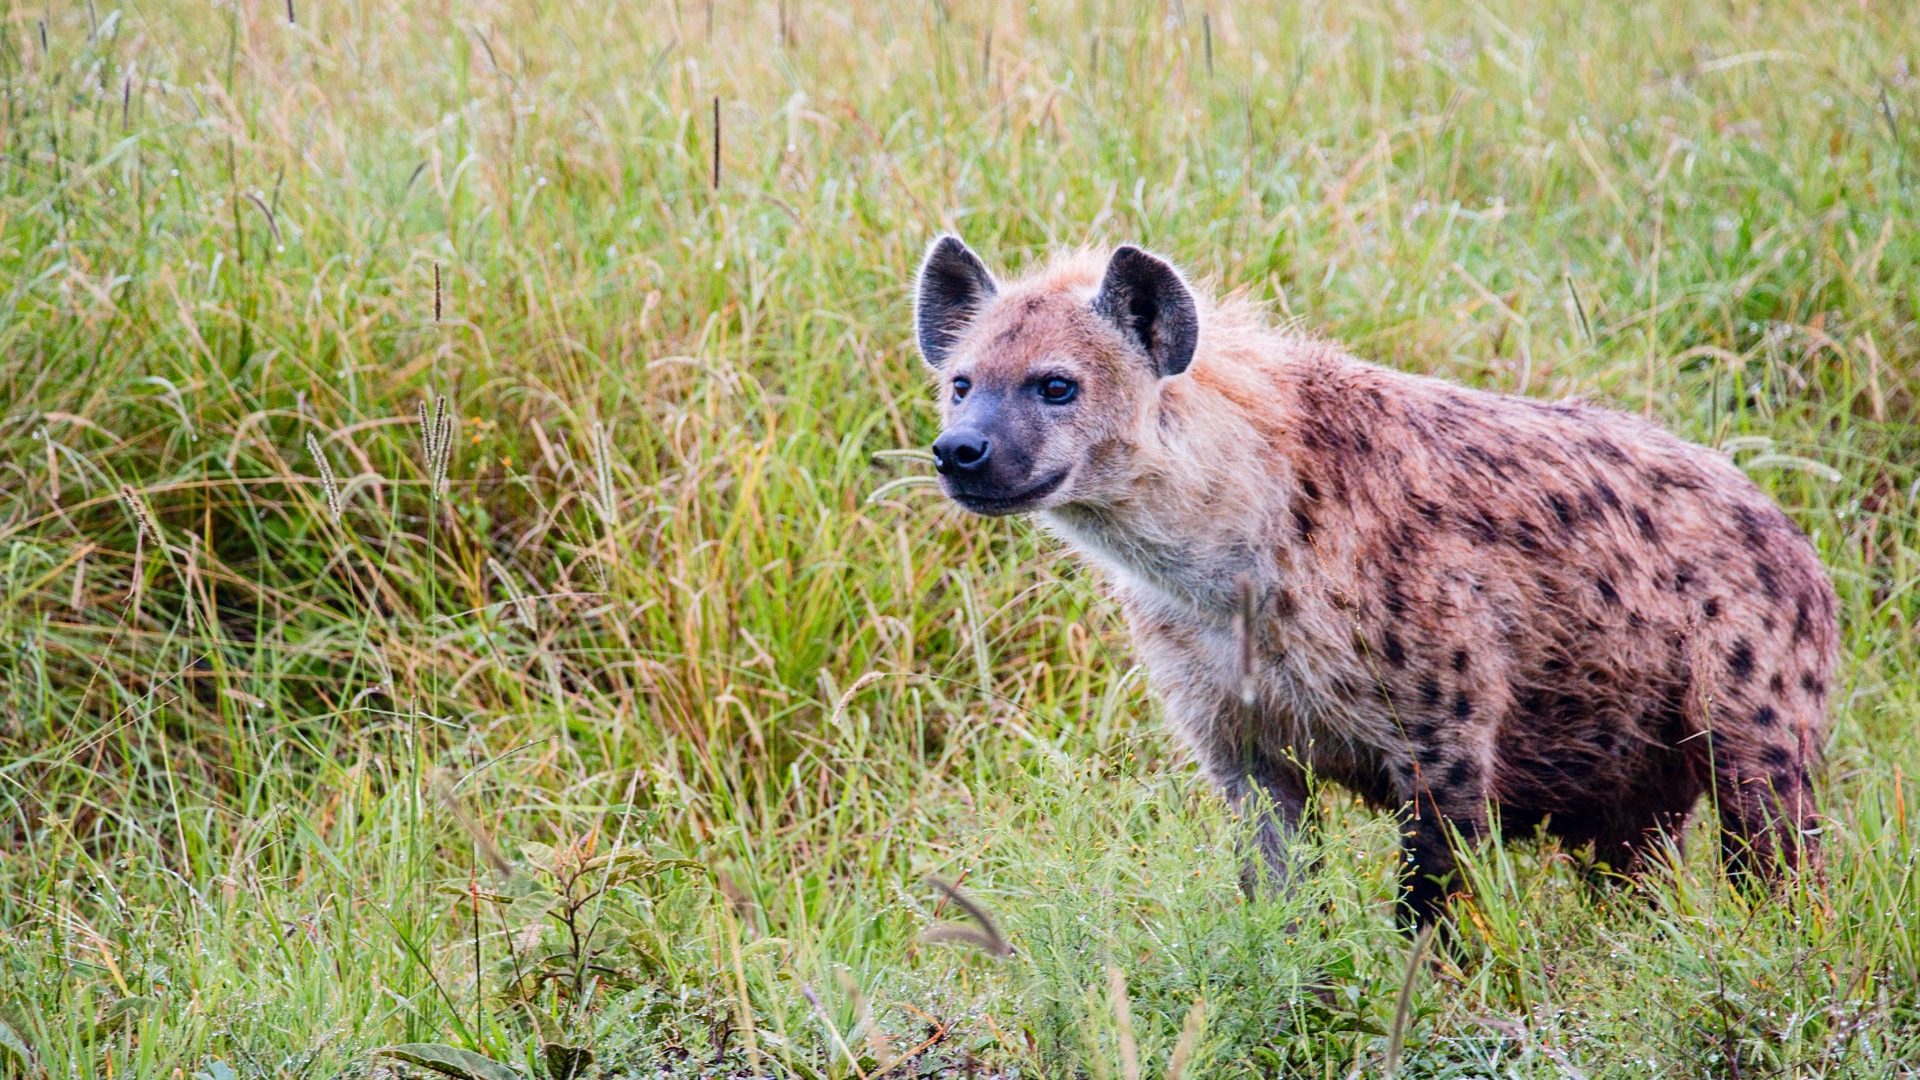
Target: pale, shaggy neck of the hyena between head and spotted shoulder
{"points": [[1197, 514]]}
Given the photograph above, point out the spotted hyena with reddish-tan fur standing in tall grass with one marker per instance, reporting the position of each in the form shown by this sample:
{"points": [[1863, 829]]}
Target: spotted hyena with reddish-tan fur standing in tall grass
{"points": [[1472, 608]]}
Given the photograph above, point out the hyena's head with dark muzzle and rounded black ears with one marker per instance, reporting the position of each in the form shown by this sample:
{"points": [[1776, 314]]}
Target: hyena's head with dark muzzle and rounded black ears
{"points": [[1047, 381]]}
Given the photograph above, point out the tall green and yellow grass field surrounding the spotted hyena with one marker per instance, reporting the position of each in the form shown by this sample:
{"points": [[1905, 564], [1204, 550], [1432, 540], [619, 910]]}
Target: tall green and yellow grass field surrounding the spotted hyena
{"points": [[468, 581]]}
